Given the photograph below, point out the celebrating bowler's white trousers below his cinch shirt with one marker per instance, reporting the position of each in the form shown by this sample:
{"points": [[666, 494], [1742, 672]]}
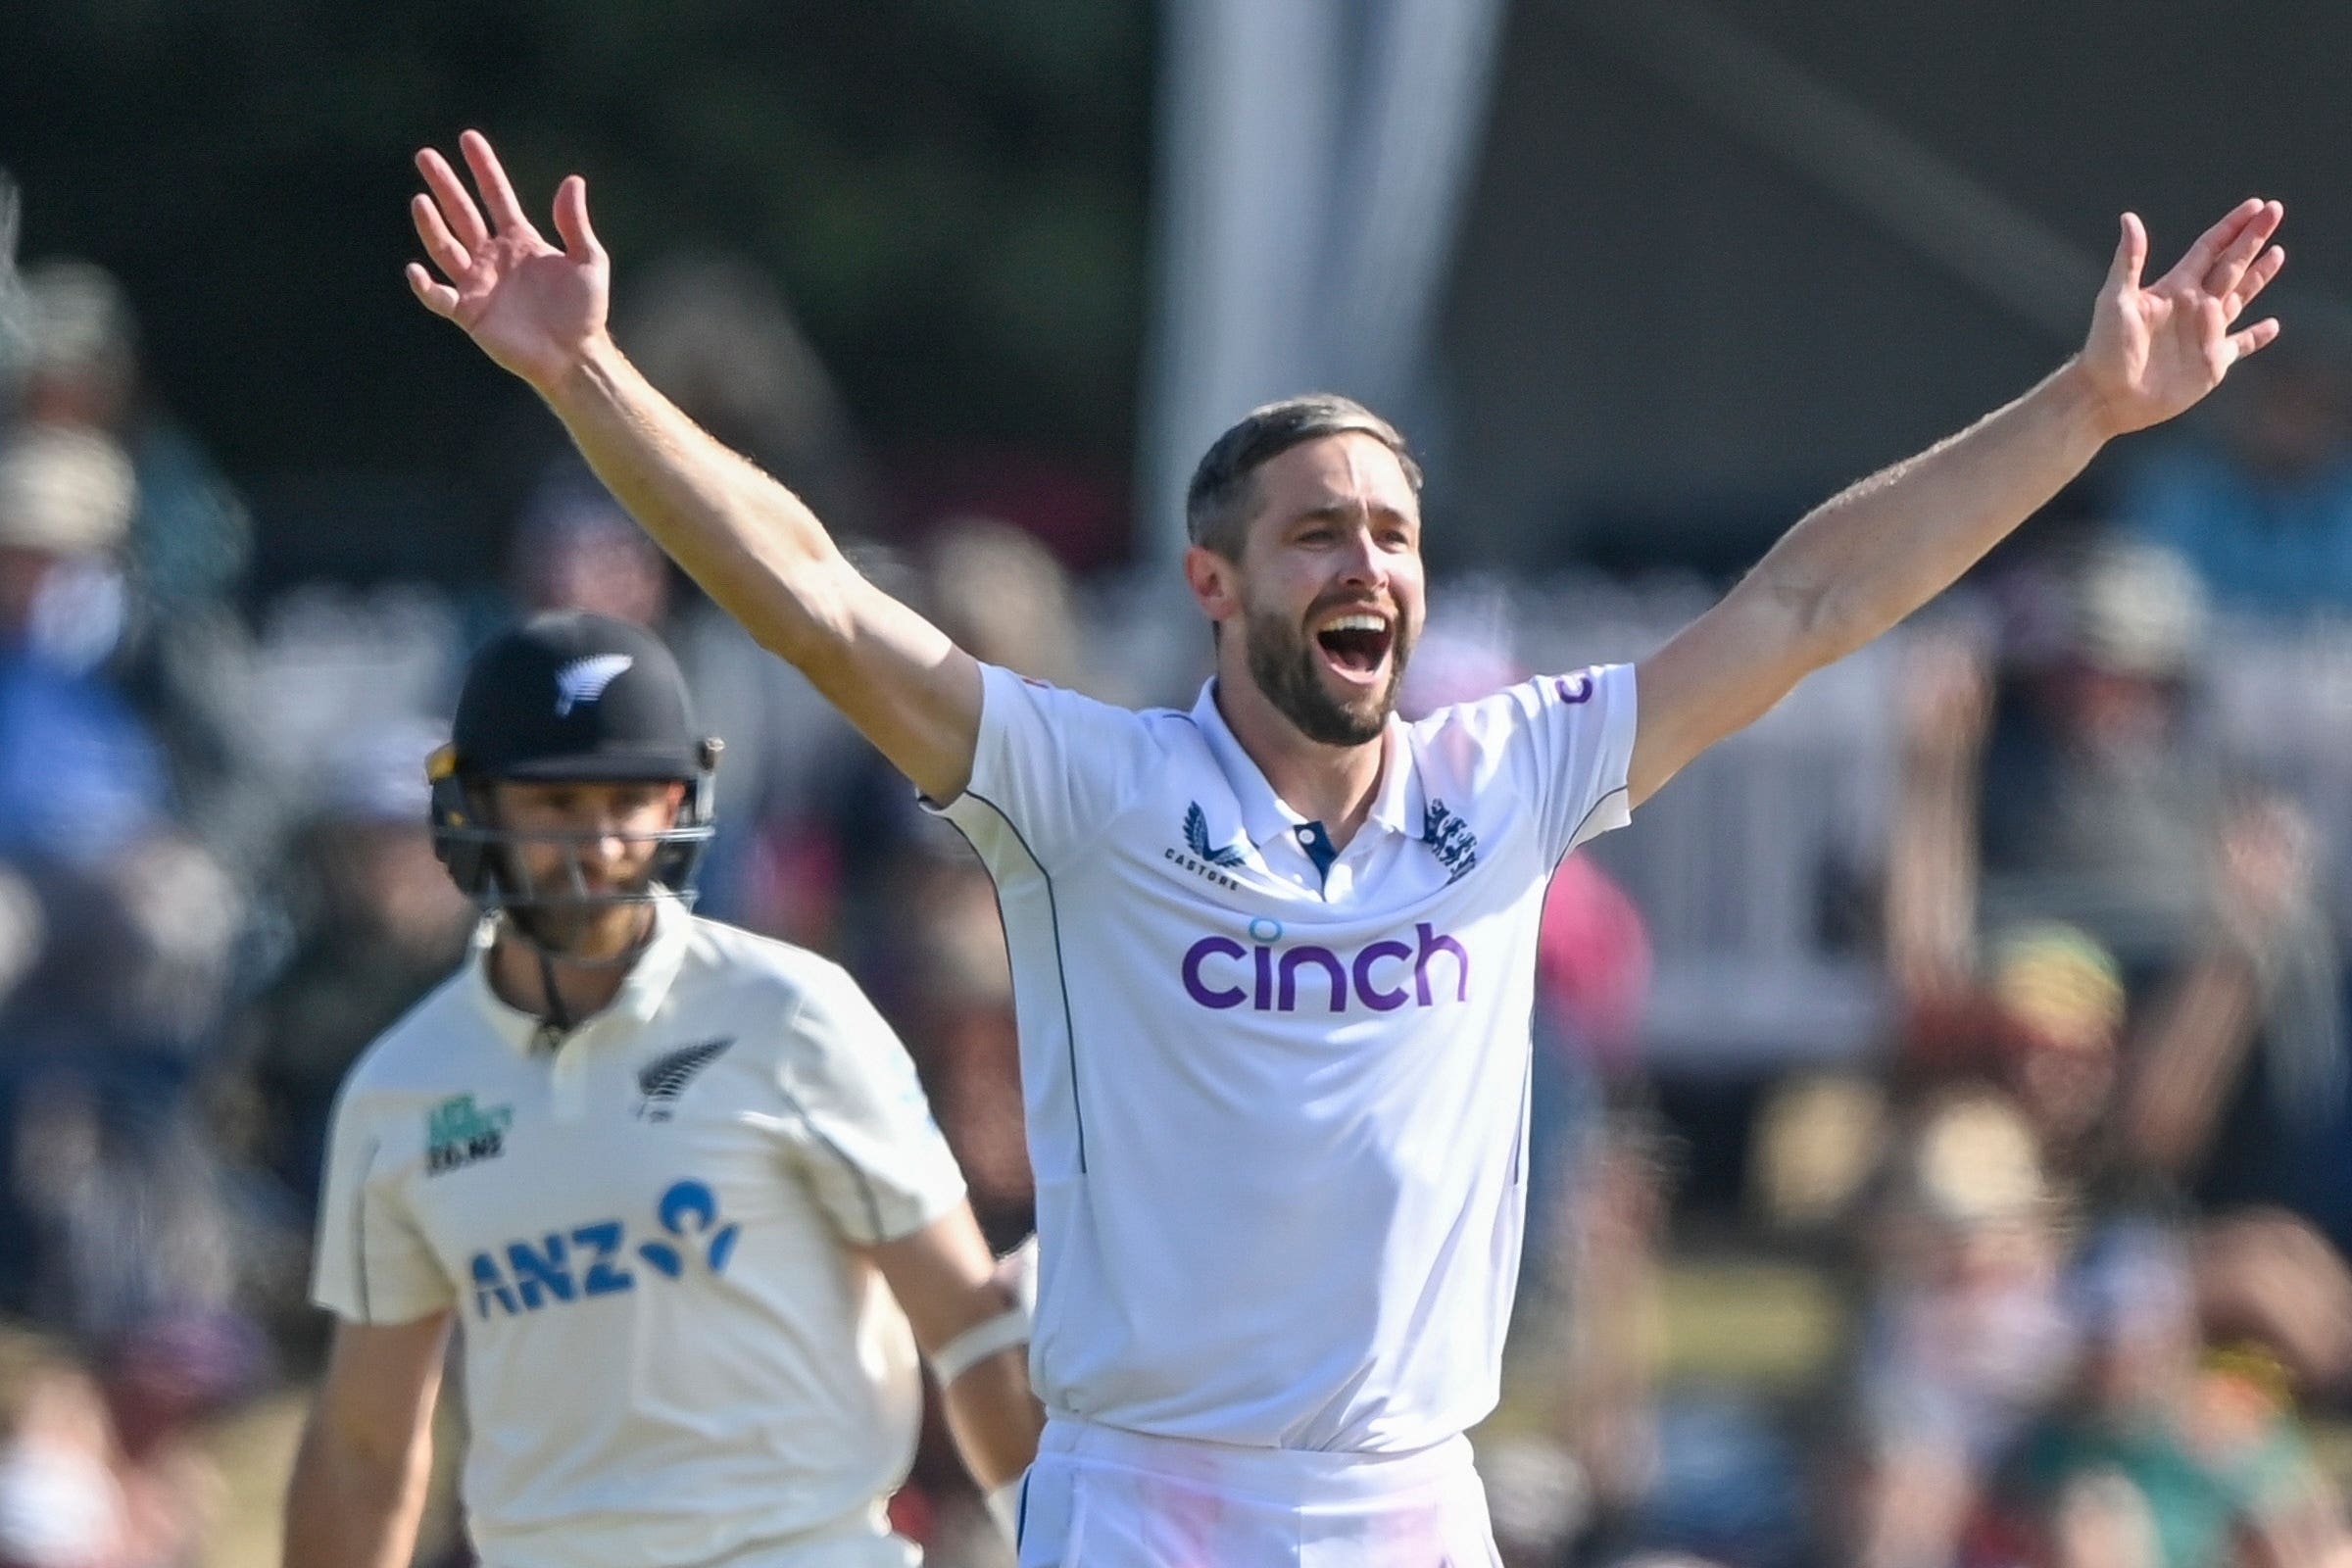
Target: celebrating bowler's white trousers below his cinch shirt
{"points": [[1104, 1499]]}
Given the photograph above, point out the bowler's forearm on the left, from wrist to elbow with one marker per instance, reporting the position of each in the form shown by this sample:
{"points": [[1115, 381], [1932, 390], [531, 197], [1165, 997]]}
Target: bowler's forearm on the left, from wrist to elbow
{"points": [[744, 537]]}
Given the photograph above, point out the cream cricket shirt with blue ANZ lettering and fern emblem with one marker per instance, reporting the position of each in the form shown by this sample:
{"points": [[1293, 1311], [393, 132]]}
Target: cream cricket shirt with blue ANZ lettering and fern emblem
{"points": [[671, 1353]]}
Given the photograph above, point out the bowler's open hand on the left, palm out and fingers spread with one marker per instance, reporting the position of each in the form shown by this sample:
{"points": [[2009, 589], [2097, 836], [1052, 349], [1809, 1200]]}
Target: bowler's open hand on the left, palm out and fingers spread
{"points": [[533, 307]]}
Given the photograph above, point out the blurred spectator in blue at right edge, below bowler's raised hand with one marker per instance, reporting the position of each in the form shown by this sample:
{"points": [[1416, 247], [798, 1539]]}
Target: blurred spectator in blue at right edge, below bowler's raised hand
{"points": [[2264, 507]]}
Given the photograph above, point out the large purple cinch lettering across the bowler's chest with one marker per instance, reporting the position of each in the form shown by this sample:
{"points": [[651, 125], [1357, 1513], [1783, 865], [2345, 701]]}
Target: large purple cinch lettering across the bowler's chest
{"points": [[1384, 977]]}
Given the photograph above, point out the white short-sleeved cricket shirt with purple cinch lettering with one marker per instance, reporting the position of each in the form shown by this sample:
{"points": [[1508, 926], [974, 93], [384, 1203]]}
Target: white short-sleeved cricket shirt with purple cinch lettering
{"points": [[1278, 1099]]}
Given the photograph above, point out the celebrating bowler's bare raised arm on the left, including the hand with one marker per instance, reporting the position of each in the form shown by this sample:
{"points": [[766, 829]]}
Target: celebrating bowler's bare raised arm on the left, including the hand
{"points": [[747, 540]]}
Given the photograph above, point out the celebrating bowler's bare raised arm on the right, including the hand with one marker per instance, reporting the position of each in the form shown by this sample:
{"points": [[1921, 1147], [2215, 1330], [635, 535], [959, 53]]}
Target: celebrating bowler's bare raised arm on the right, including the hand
{"points": [[1883, 549]]}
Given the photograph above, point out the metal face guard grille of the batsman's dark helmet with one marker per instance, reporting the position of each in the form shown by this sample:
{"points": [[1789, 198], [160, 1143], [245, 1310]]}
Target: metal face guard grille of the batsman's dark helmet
{"points": [[486, 864]]}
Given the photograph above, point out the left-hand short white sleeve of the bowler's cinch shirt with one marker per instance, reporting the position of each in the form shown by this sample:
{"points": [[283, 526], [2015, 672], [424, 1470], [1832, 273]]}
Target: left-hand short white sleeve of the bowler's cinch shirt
{"points": [[1053, 770]]}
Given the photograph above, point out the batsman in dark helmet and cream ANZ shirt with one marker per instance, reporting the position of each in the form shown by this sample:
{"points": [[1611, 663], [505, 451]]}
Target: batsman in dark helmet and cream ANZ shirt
{"points": [[674, 1186]]}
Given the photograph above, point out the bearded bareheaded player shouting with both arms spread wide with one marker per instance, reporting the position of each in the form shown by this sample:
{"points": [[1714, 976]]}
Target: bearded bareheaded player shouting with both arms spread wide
{"points": [[1274, 956]]}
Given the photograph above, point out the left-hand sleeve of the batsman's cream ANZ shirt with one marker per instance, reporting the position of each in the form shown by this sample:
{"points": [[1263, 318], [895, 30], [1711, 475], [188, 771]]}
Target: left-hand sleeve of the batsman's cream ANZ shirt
{"points": [[373, 1264]]}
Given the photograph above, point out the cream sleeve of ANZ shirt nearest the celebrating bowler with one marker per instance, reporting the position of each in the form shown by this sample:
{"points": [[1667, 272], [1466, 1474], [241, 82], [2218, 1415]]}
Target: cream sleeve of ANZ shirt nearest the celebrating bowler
{"points": [[860, 1125]]}
